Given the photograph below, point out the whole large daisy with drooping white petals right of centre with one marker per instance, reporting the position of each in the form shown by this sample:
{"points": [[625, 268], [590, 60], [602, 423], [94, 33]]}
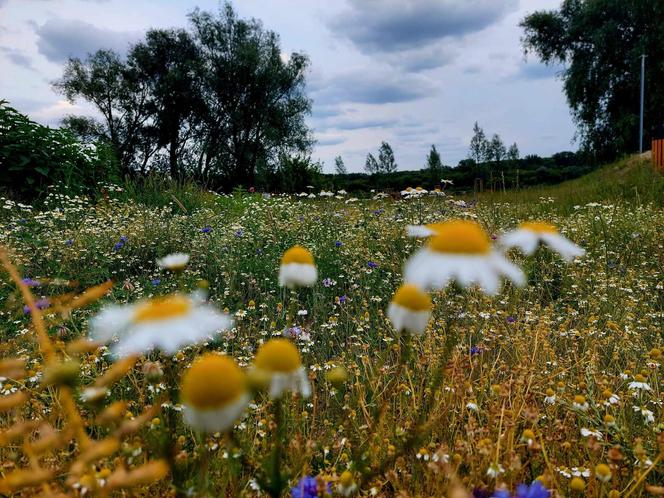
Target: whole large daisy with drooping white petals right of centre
{"points": [[460, 251]]}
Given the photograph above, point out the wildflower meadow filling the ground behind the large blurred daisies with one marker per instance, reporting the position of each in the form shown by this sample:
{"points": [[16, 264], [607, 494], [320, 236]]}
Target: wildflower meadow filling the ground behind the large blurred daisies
{"points": [[557, 382]]}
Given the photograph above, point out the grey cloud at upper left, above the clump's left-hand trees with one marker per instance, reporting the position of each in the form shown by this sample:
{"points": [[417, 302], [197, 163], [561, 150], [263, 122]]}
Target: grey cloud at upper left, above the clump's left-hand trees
{"points": [[59, 39]]}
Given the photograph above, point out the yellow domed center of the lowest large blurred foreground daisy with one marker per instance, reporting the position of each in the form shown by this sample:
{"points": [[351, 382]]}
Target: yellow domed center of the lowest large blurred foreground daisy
{"points": [[212, 382]]}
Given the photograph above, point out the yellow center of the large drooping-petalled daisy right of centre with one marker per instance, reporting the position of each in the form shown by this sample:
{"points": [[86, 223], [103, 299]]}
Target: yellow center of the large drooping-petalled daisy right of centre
{"points": [[460, 237]]}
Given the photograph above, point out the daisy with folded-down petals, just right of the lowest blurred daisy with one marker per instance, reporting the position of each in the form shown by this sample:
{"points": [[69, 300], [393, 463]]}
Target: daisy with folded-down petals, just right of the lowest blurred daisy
{"points": [[279, 360]]}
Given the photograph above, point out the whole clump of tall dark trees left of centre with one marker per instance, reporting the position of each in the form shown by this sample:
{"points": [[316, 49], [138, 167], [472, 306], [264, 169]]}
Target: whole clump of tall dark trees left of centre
{"points": [[216, 102]]}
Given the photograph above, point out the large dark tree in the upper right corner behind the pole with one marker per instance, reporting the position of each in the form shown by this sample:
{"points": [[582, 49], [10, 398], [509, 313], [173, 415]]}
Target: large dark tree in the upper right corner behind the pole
{"points": [[600, 43]]}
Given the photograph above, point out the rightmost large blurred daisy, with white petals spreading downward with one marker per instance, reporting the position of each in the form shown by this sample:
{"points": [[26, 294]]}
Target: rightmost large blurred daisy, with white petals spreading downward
{"points": [[531, 234]]}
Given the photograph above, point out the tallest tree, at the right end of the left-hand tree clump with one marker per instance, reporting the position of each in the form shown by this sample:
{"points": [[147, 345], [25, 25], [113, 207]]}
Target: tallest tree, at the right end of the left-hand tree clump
{"points": [[254, 100]]}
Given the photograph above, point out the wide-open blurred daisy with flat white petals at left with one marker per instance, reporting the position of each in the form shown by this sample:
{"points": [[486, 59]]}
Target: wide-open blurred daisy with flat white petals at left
{"points": [[166, 323]]}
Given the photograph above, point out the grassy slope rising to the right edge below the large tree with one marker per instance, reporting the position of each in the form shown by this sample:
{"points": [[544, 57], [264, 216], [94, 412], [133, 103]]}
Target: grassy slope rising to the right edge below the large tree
{"points": [[631, 180]]}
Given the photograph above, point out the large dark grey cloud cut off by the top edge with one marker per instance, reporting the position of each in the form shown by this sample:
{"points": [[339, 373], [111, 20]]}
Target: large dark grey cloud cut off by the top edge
{"points": [[395, 25]]}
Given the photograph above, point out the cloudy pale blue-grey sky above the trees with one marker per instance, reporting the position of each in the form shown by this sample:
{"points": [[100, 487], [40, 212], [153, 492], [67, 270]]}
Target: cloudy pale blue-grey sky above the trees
{"points": [[414, 73]]}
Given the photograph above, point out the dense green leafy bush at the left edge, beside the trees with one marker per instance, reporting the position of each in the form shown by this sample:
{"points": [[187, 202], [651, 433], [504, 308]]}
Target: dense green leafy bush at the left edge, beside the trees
{"points": [[33, 157]]}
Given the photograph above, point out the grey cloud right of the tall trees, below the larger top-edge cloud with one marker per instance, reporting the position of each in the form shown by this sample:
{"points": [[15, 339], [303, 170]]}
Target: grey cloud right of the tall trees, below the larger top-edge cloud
{"points": [[372, 88]]}
